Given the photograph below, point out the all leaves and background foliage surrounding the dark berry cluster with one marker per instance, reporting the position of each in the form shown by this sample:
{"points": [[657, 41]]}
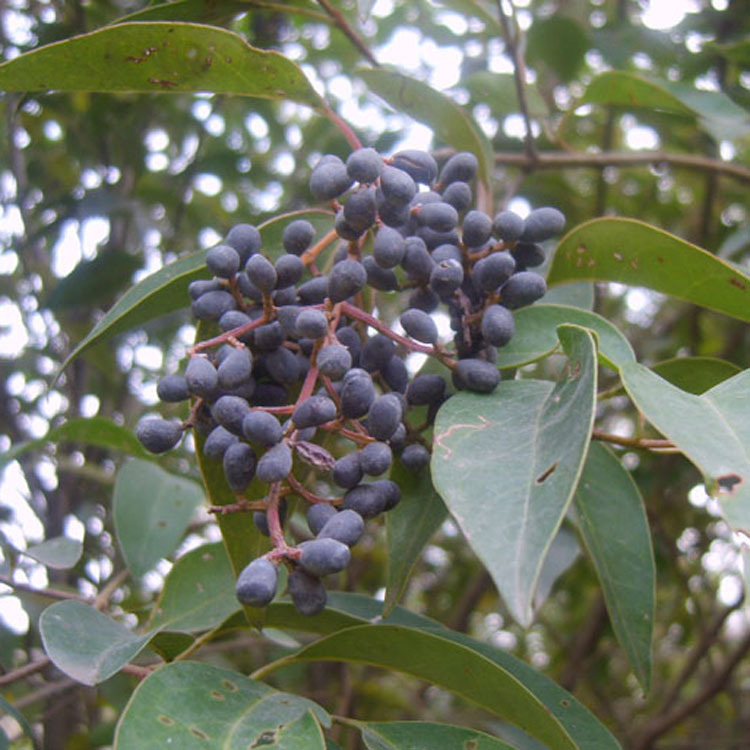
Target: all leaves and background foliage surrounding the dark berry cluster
{"points": [[602, 489]]}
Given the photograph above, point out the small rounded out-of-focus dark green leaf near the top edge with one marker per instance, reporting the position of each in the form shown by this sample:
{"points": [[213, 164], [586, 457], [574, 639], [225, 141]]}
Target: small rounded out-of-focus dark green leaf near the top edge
{"points": [[559, 42]]}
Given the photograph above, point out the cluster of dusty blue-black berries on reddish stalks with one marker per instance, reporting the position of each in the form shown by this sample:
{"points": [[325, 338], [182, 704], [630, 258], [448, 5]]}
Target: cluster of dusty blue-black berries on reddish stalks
{"points": [[302, 363]]}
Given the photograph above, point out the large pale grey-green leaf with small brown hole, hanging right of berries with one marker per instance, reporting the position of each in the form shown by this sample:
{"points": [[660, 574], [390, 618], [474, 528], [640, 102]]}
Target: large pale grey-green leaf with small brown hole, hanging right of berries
{"points": [[507, 464]]}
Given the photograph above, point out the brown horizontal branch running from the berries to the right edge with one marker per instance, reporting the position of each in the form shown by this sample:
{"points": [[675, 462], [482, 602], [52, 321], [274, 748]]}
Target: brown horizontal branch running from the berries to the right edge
{"points": [[566, 159]]}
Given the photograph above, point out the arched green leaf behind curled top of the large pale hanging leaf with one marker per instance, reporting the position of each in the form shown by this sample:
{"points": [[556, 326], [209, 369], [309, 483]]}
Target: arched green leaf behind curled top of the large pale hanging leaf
{"points": [[536, 336]]}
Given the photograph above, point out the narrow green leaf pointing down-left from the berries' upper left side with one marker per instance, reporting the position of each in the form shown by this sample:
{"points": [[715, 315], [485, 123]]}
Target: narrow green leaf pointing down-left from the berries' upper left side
{"points": [[162, 292]]}
